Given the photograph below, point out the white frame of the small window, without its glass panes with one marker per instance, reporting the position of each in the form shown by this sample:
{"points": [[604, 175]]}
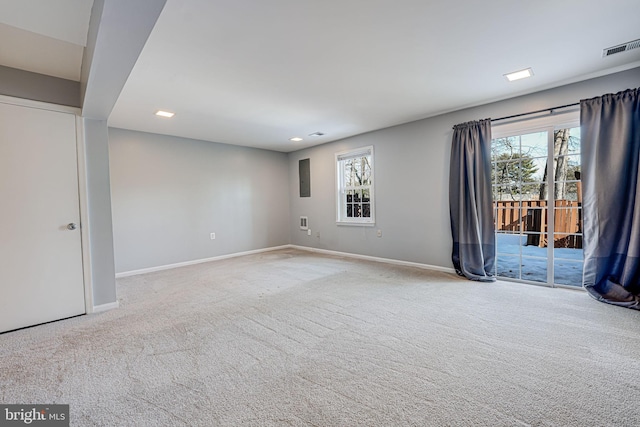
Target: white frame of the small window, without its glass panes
{"points": [[341, 209]]}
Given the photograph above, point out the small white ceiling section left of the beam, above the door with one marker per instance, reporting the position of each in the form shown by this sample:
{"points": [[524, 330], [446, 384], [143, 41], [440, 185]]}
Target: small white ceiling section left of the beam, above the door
{"points": [[44, 36]]}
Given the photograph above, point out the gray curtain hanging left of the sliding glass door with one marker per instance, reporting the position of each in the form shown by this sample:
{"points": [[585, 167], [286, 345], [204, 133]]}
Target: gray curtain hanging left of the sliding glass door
{"points": [[470, 201]]}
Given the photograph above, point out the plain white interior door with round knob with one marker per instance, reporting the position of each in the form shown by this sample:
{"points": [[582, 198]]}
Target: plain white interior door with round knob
{"points": [[40, 254]]}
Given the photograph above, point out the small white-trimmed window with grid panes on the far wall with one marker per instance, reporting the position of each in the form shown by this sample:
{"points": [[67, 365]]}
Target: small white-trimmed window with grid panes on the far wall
{"points": [[355, 201]]}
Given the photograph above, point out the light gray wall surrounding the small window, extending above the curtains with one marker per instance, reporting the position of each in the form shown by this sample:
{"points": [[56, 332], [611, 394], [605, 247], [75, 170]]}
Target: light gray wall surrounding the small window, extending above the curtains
{"points": [[412, 179]]}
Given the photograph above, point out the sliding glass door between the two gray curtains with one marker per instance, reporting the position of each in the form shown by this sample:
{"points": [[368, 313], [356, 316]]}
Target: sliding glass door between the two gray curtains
{"points": [[538, 204]]}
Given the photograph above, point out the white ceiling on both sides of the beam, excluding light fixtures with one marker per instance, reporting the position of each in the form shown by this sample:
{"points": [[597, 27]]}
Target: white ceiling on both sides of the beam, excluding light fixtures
{"points": [[256, 72]]}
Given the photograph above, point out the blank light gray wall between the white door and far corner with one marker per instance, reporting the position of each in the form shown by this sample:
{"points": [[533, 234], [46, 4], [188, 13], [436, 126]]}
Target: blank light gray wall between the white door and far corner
{"points": [[169, 194]]}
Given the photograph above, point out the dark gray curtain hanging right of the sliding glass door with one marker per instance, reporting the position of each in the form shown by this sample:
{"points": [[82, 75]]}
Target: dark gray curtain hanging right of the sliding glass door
{"points": [[610, 134]]}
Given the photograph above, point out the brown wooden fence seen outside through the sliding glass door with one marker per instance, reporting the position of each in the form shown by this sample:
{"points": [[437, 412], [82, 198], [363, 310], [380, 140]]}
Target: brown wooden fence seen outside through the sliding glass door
{"points": [[529, 217]]}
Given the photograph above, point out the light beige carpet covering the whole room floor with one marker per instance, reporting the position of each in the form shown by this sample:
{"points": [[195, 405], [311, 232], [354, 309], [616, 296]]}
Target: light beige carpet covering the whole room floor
{"points": [[292, 338]]}
